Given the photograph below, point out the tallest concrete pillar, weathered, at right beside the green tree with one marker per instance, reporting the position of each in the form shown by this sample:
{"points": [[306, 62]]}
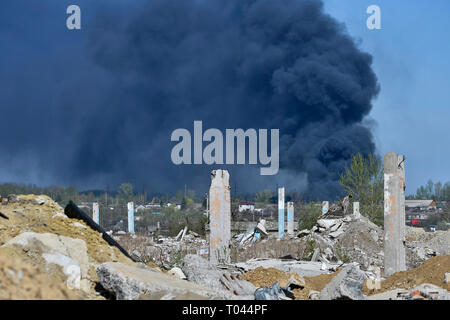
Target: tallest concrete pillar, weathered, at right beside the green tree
{"points": [[394, 213]]}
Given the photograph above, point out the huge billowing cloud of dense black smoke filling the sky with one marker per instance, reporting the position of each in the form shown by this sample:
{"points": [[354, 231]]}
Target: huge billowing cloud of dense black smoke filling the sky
{"points": [[102, 112]]}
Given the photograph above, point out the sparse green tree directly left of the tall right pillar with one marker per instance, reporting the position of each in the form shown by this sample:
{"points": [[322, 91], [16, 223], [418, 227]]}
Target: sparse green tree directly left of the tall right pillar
{"points": [[363, 179]]}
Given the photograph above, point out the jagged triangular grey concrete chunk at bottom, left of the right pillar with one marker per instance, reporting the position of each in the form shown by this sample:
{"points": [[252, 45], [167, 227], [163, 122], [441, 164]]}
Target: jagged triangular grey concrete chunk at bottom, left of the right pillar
{"points": [[347, 284]]}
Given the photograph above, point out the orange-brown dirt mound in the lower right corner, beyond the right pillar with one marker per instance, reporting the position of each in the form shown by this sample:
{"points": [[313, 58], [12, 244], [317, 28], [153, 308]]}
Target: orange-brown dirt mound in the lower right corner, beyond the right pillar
{"points": [[431, 271]]}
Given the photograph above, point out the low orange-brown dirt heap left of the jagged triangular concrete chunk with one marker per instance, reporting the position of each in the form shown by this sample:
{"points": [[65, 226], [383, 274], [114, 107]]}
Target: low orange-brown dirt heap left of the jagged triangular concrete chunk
{"points": [[260, 277]]}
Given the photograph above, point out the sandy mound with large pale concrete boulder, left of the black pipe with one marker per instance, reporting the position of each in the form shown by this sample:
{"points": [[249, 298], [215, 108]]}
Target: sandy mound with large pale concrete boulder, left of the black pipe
{"points": [[38, 232]]}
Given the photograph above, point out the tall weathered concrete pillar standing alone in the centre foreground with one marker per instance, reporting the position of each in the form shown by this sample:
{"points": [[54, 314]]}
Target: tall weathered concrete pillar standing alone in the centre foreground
{"points": [[220, 217]]}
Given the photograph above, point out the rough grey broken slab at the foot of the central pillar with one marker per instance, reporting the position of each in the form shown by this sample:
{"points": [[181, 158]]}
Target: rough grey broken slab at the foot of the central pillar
{"points": [[200, 271]]}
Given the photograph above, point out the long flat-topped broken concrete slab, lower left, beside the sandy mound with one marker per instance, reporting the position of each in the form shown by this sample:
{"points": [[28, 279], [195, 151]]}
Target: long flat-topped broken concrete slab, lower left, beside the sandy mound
{"points": [[130, 283]]}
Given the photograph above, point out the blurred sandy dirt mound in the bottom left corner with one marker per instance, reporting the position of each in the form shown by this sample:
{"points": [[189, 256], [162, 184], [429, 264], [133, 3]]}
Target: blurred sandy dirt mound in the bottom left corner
{"points": [[20, 280]]}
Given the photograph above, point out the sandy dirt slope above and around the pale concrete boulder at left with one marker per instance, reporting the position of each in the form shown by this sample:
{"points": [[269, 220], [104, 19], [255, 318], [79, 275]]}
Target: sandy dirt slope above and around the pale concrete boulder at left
{"points": [[40, 214]]}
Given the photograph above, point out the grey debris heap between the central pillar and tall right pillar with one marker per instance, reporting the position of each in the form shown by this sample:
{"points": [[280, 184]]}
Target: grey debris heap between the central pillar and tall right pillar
{"points": [[335, 240]]}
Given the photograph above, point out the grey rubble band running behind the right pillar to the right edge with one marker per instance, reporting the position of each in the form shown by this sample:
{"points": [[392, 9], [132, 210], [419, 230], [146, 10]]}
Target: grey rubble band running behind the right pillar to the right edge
{"points": [[347, 239]]}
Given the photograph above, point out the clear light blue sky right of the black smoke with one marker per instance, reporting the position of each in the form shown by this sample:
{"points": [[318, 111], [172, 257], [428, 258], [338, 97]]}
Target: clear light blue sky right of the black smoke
{"points": [[411, 59]]}
